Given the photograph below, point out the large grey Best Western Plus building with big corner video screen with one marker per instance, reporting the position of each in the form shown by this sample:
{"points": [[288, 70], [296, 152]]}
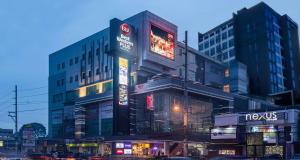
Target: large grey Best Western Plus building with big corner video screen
{"points": [[120, 91]]}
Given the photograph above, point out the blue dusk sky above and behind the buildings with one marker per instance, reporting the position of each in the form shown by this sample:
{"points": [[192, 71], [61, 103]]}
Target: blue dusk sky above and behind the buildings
{"points": [[31, 30]]}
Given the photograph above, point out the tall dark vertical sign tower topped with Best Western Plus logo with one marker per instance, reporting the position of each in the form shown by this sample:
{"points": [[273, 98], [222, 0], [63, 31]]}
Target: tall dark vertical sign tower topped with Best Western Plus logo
{"points": [[122, 48]]}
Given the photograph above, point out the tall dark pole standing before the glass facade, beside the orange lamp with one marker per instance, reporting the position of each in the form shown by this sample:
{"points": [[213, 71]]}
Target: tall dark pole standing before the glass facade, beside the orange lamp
{"points": [[186, 104]]}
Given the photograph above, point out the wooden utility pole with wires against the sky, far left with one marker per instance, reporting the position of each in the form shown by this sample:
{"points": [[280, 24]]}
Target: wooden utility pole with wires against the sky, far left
{"points": [[14, 116]]}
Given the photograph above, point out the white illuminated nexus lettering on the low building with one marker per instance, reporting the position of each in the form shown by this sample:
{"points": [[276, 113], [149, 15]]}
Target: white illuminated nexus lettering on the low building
{"points": [[267, 116]]}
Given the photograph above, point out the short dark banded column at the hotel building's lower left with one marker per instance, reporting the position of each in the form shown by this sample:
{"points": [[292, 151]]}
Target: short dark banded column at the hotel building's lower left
{"points": [[79, 115]]}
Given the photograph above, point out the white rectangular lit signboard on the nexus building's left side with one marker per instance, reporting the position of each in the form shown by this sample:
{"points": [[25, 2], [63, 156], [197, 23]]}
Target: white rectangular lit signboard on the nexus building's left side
{"points": [[223, 133]]}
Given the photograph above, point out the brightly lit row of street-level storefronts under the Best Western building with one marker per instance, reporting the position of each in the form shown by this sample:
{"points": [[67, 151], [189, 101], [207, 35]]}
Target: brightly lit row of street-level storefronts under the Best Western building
{"points": [[141, 146]]}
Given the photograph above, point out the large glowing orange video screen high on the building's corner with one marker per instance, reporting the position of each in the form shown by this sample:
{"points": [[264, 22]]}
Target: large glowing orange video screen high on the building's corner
{"points": [[162, 42]]}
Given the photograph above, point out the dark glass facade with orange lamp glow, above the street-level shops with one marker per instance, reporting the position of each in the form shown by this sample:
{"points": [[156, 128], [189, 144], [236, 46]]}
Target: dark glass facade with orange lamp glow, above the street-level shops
{"points": [[167, 115]]}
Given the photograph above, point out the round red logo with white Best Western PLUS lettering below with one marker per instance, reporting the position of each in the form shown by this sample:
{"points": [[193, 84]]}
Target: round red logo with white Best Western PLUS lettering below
{"points": [[124, 40]]}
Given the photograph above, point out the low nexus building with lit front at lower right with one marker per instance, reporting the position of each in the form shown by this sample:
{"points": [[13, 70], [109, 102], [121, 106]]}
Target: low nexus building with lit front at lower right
{"points": [[256, 134]]}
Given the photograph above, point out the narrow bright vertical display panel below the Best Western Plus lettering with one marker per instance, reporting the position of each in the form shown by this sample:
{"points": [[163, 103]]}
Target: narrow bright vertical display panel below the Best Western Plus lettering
{"points": [[123, 81]]}
